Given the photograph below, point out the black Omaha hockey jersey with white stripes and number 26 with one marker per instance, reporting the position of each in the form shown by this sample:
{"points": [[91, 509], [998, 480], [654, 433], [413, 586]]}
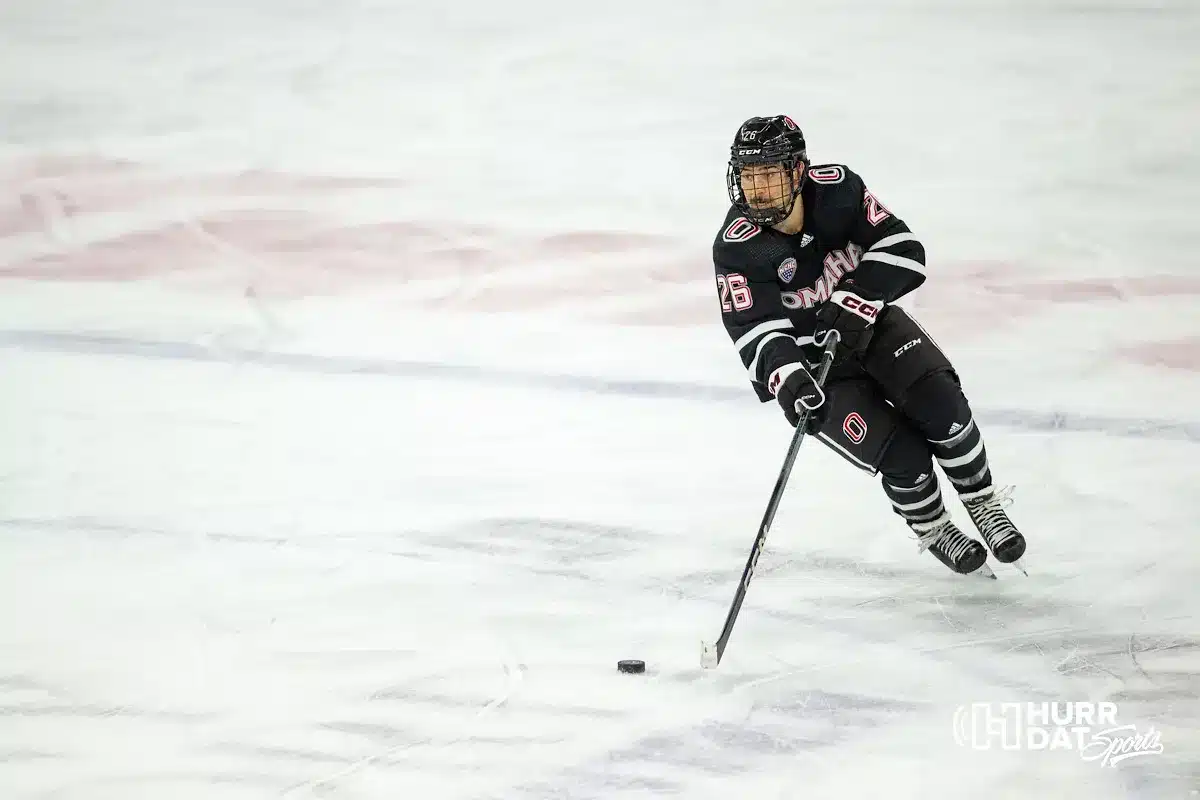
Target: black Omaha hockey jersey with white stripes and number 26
{"points": [[772, 284]]}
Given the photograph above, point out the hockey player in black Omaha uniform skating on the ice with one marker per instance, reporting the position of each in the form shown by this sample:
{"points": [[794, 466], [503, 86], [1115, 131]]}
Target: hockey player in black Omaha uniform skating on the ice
{"points": [[808, 249]]}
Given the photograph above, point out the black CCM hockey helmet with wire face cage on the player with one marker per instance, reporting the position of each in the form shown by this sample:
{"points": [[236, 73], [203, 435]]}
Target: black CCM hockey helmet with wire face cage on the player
{"points": [[767, 141]]}
